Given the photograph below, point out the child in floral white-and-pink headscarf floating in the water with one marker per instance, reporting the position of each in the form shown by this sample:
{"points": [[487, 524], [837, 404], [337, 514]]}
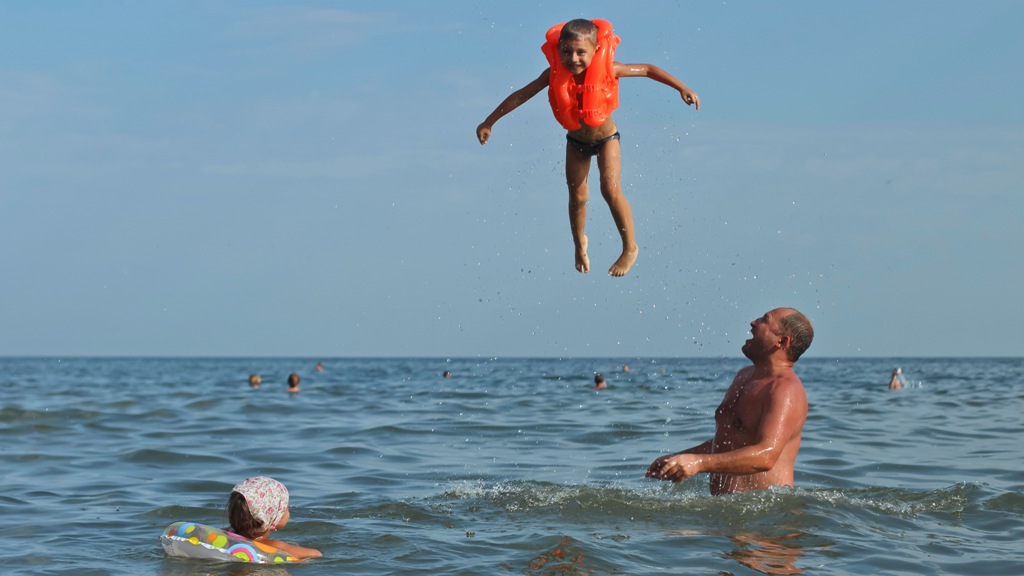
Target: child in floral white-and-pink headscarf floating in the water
{"points": [[259, 507]]}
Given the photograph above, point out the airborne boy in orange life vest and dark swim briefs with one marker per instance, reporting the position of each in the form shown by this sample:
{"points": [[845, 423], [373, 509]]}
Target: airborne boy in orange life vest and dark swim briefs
{"points": [[583, 97]]}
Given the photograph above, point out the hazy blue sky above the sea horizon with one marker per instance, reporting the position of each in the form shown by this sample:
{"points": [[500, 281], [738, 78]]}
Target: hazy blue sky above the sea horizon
{"points": [[270, 179]]}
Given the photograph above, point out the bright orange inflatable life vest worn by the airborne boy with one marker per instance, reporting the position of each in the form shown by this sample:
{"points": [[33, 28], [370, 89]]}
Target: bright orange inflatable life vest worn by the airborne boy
{"points": [[593, 101]]}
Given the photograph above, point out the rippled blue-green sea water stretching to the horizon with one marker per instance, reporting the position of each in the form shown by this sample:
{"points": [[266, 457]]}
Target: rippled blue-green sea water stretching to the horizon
{"points": [[507, 467]]}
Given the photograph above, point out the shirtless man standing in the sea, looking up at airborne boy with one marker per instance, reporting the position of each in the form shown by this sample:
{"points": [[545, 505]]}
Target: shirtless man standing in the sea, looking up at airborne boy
{"points": [[759, 423]]}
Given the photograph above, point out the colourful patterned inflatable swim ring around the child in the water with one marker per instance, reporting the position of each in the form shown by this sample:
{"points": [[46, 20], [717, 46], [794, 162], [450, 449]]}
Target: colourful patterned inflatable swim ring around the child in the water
{"points": [[188, 540]]}
